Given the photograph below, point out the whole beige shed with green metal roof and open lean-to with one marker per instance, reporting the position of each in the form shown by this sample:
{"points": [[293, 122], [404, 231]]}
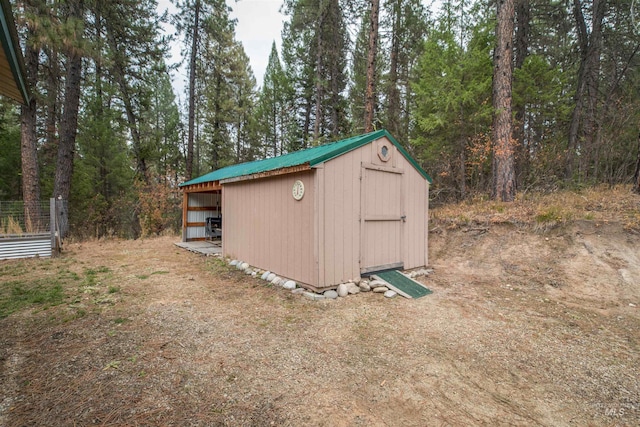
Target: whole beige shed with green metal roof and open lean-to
{"points": [[319, 216]]}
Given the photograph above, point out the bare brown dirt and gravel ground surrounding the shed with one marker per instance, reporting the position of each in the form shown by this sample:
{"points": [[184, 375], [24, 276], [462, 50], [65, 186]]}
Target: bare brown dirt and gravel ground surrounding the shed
{"points": [[522, 328]]}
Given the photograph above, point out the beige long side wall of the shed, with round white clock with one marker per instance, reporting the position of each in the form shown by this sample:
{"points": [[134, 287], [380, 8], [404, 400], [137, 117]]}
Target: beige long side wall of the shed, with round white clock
{"points": [[264, 226]]}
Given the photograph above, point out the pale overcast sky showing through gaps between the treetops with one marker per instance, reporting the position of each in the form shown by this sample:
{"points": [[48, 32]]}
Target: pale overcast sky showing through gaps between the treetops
{"points": [[259, 23]]}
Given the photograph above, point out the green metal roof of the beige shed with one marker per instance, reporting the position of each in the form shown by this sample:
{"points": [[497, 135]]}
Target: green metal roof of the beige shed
{"points": [[311, 156]]}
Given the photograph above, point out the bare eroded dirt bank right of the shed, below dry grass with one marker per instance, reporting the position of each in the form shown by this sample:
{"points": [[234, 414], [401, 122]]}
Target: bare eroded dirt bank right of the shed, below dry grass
{"points": [[593, 264]]}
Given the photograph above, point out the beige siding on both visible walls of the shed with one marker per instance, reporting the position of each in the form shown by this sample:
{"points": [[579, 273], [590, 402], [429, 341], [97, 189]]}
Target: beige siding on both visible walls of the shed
{"points": [[321, 240]]}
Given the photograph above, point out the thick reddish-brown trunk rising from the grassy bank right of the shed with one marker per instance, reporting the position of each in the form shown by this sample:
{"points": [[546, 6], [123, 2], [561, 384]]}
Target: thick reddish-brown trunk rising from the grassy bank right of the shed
{"points": [[504, 186]]}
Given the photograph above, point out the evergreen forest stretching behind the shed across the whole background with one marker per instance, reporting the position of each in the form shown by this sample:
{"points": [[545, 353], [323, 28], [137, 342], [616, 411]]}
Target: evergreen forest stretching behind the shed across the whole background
{"points": [[493, 98]]}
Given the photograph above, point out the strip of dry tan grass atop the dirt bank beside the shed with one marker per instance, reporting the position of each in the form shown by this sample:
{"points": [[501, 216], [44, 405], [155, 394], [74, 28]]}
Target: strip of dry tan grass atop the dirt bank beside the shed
{"points": [[546, 210]]}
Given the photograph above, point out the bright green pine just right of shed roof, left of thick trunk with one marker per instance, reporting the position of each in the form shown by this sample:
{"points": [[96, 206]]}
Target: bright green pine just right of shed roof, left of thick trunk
{"points": [[453, 109]]}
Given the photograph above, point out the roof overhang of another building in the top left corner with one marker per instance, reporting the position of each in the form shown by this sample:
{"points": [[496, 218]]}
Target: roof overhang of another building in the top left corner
{"points": [[13, 80]]}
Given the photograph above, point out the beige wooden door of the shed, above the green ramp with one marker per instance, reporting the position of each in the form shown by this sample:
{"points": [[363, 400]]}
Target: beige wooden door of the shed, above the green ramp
{"points": [[382, 218]]}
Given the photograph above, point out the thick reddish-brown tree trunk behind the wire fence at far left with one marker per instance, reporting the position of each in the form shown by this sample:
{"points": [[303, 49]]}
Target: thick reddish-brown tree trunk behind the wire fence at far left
{"points": [[28, 137]]}
